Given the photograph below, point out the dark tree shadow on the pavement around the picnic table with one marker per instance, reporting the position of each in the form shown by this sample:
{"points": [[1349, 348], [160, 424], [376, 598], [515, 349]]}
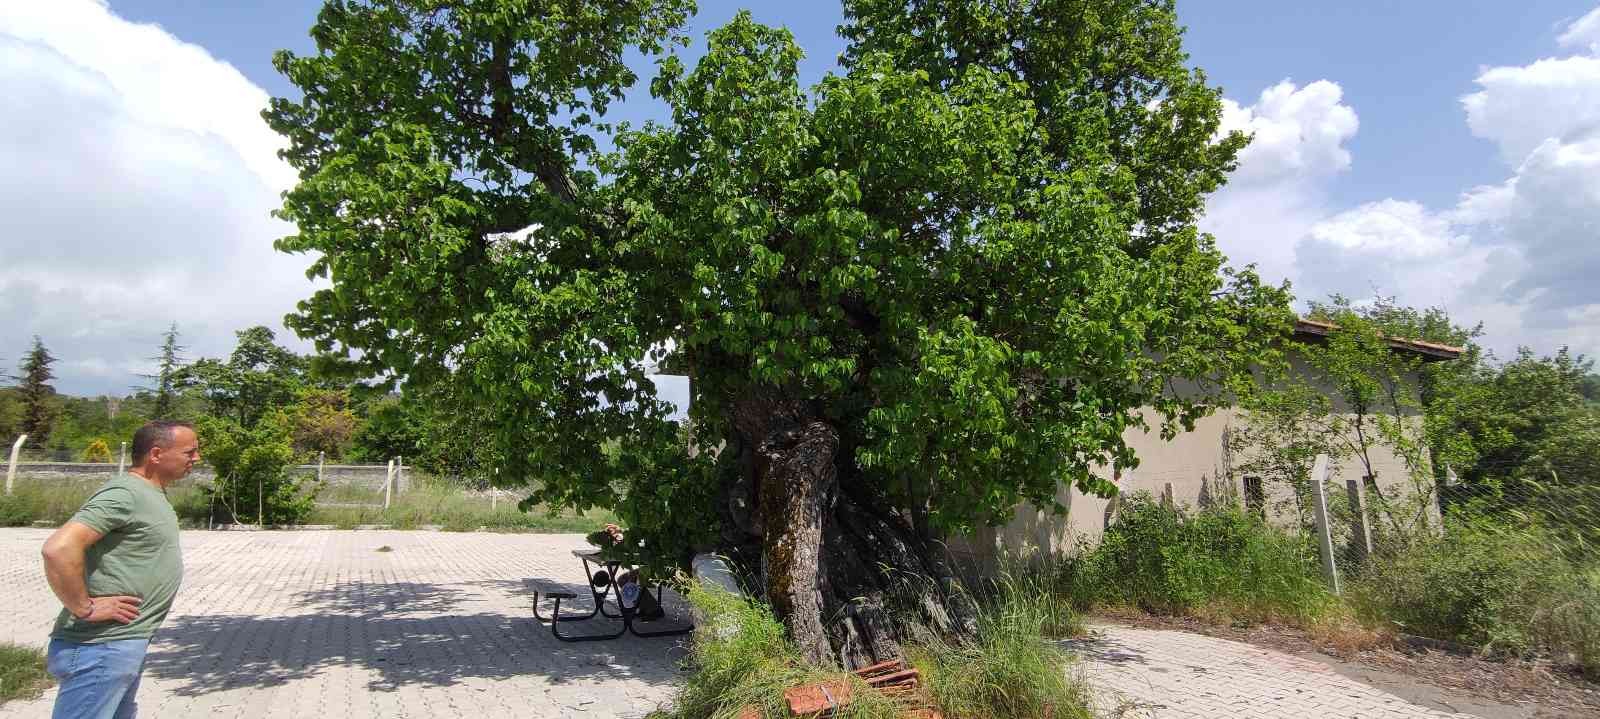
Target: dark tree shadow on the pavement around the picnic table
{"points": [[407, 633]]}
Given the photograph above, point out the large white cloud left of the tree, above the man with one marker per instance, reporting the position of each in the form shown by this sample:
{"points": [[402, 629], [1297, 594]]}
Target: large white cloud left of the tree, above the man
{"points": [[138, 190]]}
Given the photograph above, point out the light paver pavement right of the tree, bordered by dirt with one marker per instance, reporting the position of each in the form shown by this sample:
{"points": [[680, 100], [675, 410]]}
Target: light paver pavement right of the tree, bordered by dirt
{"points": [[1156, 673]]}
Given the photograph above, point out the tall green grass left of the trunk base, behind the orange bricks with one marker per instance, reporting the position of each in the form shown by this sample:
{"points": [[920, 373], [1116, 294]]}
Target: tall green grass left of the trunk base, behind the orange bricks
{"points": [[742, 659]]}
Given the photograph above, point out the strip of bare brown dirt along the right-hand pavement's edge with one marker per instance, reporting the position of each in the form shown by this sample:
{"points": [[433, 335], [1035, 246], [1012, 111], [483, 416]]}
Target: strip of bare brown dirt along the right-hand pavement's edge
{"points": [[1490, 688]]}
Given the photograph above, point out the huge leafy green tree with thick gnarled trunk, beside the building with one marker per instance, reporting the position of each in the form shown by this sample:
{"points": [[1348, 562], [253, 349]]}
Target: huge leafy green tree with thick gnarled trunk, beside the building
{"points": [[935, 286]]}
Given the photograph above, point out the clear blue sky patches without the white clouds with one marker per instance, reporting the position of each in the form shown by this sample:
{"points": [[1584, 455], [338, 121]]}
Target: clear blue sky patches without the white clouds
{"points": [[1402, 65]]}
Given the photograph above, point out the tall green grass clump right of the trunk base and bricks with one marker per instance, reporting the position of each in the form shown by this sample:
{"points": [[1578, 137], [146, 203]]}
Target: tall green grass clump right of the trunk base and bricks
{"points": [[1010, 669]]}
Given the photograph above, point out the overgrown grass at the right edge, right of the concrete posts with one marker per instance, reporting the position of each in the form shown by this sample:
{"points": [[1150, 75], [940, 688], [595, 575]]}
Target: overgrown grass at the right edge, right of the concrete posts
{"points": [[1492, 585]]}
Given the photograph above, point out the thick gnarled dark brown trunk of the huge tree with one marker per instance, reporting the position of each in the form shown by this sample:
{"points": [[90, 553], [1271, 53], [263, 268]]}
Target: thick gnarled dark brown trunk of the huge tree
{"points": [[850, 579]]}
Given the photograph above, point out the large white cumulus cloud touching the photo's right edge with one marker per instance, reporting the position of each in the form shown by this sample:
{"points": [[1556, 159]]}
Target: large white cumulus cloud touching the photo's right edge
{"points": [[1519, 255]]}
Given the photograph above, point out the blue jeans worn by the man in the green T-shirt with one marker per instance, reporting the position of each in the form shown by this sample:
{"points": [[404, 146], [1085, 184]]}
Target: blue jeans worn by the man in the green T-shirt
{"points": [[98, 681]]}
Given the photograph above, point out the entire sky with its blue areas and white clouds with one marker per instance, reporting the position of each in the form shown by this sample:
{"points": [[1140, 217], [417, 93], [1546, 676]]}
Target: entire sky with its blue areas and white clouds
{"points": [[1370, 171]]}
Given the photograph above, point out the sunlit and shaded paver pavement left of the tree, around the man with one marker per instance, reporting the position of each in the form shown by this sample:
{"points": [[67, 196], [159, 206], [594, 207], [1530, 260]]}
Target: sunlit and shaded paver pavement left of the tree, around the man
{"points": [[324, 625]]}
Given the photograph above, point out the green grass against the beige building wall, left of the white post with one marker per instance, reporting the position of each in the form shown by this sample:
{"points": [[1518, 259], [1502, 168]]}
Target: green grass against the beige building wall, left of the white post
{"points": [[1215, 563]]}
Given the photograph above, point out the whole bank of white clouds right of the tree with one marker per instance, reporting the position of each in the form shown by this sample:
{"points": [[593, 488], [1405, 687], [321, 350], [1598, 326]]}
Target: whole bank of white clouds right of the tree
{"points": [[1519, 255]]}
